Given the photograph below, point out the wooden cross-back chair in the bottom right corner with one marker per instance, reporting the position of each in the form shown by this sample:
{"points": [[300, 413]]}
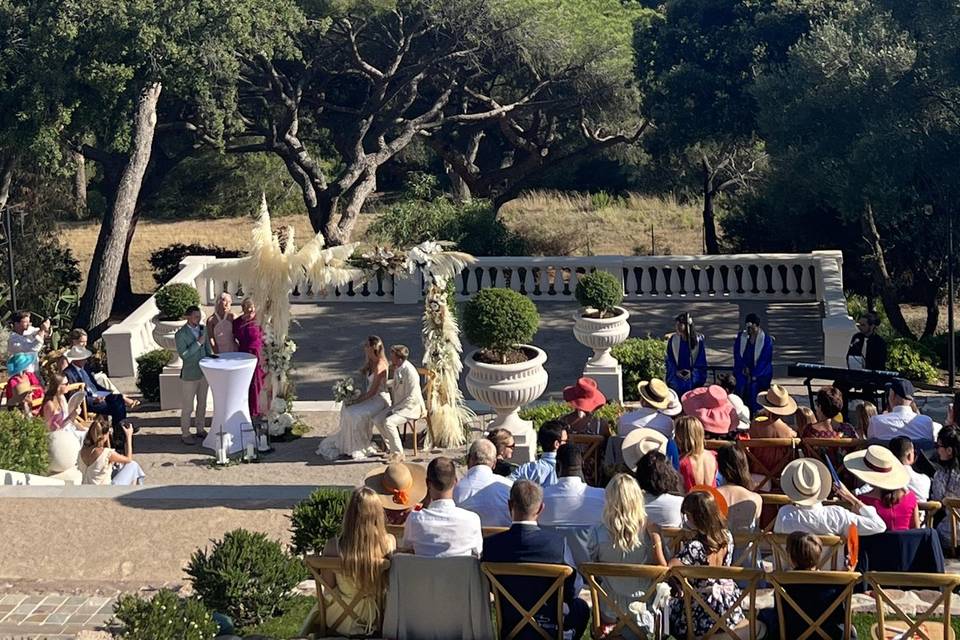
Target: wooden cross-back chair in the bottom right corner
{"points": [[928, 625]]}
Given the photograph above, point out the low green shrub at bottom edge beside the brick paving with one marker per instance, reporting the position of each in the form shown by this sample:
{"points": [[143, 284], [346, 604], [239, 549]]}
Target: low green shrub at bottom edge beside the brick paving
{"points": [[164, 617]]}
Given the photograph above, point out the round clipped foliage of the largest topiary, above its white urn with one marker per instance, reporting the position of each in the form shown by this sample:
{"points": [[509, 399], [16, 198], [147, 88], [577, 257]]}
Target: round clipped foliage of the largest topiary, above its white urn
{"points": [[499, 319]]}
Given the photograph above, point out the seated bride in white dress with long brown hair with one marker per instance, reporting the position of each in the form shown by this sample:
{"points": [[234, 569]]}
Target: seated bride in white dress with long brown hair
{"points": [[355, 437]]}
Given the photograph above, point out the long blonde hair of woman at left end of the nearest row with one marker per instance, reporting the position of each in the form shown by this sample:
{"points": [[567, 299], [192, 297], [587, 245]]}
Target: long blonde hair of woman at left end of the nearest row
{"points": [[364, 543]]}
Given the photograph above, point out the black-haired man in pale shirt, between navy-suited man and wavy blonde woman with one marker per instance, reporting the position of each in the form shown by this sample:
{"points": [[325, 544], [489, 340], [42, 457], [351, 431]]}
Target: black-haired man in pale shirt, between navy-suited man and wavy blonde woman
{"points": [[570, 502]]}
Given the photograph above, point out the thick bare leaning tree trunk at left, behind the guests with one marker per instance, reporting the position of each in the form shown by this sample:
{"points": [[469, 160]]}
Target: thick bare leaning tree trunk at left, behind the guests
{"points": [[104, 272]]}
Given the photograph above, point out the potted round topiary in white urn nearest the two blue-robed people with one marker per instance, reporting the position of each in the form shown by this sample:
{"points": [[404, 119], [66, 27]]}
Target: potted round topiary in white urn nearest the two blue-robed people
{"points": [[602, 323]]}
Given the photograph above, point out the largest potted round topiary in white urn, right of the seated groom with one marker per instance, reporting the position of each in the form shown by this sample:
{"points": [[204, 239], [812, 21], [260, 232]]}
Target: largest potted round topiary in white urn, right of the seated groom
{"points": [[505, 371]]}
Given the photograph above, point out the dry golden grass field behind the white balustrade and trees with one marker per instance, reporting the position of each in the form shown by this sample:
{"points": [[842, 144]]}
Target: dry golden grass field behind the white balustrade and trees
{"points": [[555, 223]]}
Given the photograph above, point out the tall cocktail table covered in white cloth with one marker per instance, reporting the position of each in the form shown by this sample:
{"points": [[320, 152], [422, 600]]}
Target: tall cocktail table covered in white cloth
{"points": [[229, 376]]}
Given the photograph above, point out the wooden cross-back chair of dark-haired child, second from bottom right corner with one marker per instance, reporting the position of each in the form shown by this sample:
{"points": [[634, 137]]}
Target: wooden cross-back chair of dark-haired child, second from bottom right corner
{"points": [[845, 579]]}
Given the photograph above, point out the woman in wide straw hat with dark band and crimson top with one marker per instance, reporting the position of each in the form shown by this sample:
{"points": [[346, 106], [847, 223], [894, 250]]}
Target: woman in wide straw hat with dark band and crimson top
{"points": [[894, 503]]}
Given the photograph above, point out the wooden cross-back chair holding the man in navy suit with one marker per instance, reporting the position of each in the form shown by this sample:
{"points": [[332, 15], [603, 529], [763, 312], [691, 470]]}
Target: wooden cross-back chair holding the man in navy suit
{"points": [[558, 572]]}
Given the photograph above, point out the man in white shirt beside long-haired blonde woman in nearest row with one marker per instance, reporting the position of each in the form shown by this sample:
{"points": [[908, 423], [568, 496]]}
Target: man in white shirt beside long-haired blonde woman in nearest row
{"points": [[442, 529]]}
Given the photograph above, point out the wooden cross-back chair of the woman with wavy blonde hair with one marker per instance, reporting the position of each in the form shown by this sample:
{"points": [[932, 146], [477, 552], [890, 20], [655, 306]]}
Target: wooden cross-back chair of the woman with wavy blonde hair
{"points": [[624, 620]]}
